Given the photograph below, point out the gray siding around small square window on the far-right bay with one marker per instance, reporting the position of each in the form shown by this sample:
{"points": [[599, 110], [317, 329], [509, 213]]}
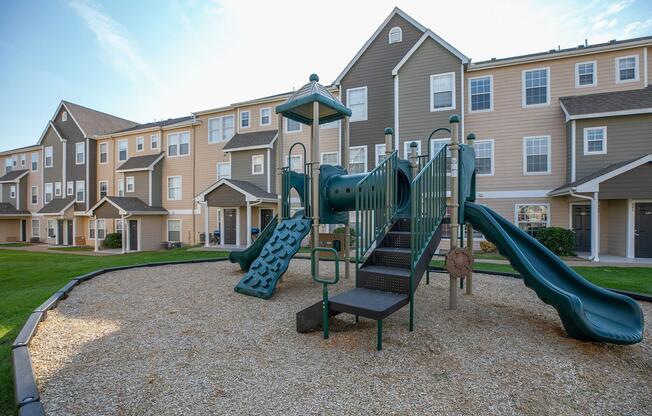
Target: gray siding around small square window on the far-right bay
{"points": [[627, 137]]}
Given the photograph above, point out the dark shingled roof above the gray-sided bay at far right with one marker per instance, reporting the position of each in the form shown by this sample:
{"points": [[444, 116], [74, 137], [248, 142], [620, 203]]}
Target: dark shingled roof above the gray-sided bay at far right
{"points": [[607, 104]]}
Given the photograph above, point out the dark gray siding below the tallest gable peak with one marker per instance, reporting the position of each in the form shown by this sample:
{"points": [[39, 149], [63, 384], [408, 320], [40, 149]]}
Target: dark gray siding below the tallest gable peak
{"points": [[374, 70]]}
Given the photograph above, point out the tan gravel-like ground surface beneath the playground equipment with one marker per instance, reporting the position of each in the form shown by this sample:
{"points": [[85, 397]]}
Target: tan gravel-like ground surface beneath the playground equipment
{"points": [[178, 340]]}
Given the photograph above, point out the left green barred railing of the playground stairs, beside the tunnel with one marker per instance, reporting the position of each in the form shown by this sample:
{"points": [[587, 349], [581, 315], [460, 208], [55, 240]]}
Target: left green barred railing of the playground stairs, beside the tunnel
{"points": [[375, 205]]}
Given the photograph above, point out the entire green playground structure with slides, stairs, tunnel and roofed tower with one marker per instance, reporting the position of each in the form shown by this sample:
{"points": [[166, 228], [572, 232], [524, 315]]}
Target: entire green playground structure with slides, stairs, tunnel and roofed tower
{"points": [[400, 209]]}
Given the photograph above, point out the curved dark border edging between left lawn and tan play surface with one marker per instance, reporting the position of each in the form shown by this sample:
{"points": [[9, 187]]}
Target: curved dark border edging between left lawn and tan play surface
{"points": [[26, 391]]}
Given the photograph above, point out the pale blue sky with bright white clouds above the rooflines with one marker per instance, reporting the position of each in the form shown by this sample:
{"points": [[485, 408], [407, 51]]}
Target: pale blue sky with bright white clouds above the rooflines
{"points": [[149, 60]]}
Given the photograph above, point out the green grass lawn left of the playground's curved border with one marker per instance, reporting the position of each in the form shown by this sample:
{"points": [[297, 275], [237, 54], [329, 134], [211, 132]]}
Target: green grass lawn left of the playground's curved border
{"points": [[27, 279]]}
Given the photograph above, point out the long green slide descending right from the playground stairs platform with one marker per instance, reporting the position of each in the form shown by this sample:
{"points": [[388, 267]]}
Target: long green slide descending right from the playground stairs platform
{"points": [[588, 312]]}
